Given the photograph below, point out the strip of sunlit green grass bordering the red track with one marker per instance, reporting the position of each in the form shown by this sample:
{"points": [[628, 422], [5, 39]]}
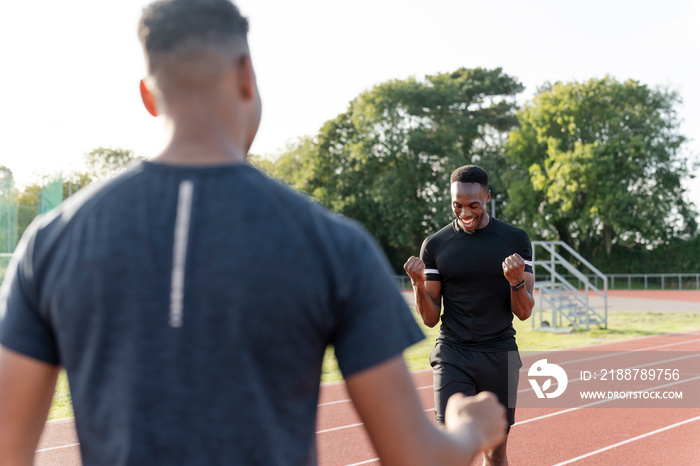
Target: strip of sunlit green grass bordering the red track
{"points": [[621, 325]]}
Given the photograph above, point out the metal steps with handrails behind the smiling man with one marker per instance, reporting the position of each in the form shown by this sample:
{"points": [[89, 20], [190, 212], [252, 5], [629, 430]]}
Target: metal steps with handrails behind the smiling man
{"points": [[570, 306]]}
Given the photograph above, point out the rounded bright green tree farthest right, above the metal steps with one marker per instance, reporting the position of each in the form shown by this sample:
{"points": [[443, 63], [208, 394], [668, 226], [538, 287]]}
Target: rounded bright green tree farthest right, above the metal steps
{"points": [[599, 164]]}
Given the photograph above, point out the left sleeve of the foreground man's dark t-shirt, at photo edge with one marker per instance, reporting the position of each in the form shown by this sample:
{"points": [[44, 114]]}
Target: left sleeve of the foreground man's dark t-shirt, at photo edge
{"points": [[22, 327]]}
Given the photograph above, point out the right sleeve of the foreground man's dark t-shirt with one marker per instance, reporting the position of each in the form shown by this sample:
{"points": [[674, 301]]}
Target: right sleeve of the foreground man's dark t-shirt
{"points": [[374, 322]]}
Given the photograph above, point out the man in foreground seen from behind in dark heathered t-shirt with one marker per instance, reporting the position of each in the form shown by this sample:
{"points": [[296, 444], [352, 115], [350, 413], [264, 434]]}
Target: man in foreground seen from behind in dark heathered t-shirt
{"points": [[190, 300]]}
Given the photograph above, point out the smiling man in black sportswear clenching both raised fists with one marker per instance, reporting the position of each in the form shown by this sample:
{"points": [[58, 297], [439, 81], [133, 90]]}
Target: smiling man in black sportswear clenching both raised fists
{"points": [[479, 269]]}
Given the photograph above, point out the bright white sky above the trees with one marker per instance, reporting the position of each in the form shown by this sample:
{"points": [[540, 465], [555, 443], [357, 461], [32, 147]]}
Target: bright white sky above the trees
{"points": [[70, 69]]}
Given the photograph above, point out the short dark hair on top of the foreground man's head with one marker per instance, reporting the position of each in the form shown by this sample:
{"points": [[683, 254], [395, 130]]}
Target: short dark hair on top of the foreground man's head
{"points": [[167, 24]]}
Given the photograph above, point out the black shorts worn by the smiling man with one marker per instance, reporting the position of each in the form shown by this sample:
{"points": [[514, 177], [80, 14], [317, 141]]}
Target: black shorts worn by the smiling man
{"points": [[458, 370]]}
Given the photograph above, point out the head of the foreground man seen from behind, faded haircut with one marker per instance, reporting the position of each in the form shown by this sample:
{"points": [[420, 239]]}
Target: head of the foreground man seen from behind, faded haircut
{"points": [[199, 69]]}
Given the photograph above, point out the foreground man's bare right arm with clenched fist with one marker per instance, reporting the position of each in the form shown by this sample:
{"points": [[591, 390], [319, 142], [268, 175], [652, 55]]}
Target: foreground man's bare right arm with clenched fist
{"points": [[386, 400]]}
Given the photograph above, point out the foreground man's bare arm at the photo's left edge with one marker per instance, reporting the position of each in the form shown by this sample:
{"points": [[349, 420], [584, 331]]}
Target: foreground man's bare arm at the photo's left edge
{"points": [[26, 390]]}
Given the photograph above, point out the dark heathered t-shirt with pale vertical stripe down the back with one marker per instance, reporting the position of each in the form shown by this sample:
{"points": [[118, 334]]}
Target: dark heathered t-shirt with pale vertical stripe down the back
{"points": [[191, 308]]}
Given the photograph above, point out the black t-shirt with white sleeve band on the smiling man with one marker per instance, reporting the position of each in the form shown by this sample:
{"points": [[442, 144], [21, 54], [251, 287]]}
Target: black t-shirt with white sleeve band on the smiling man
{"points": [[475, 294]]}
